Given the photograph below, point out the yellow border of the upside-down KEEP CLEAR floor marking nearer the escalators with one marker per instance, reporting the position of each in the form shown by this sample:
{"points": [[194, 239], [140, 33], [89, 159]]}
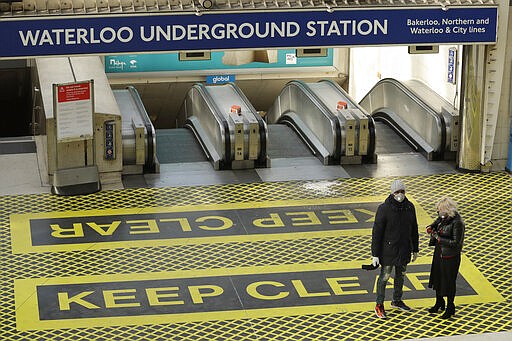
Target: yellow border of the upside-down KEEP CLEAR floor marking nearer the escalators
{"points": [[22, 239]]}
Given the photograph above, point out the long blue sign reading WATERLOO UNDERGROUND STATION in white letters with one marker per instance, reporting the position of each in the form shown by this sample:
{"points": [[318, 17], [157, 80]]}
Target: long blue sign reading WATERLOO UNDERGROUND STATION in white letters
{"points": [[248, 30]]}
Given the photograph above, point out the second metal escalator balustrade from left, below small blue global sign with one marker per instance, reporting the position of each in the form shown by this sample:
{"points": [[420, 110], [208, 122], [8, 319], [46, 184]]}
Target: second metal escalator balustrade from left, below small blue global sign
{"points": [[229, 130]]}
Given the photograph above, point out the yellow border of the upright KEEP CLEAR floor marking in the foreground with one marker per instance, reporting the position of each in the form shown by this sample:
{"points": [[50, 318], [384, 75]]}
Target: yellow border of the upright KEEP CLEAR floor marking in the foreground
{"points": [[28, 318]]}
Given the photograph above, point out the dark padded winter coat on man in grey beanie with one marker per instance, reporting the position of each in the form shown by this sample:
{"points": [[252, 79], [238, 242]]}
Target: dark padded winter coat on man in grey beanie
{"points": [[395, 232]]}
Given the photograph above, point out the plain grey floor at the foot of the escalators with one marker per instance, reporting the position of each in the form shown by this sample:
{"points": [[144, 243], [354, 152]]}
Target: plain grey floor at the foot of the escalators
{"points": [[290, 160]]}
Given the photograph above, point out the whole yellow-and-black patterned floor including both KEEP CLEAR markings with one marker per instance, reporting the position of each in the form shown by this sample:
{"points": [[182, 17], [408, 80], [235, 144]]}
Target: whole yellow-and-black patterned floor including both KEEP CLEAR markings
{"points": [[245, 261]]}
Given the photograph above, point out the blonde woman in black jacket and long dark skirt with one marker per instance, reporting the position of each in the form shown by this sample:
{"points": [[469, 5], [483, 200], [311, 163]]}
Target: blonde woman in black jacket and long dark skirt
{"points": [[447, 235]]}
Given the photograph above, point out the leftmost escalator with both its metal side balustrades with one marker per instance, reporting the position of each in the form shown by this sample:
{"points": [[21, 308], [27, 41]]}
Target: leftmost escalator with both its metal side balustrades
{"points": [[215, 123]]}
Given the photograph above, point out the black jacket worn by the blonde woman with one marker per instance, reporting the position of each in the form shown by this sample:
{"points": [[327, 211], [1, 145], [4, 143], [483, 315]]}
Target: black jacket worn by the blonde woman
{"points": [[450, 235]]}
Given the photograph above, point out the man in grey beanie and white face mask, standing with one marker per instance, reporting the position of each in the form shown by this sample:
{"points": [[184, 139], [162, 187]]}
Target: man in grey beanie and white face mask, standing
{"points": [[394, 240]]}
